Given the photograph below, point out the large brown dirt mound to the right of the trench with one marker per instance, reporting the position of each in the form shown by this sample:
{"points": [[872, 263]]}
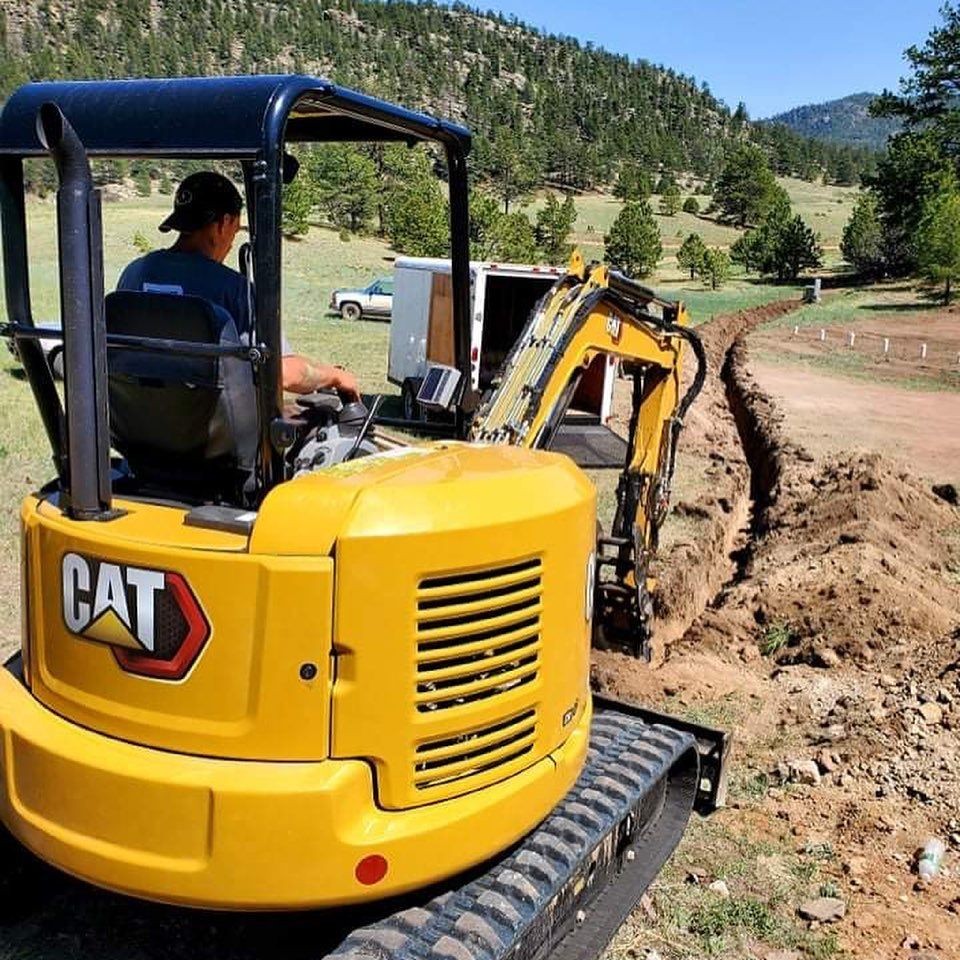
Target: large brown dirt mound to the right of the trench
{"points": [[854, 561]]}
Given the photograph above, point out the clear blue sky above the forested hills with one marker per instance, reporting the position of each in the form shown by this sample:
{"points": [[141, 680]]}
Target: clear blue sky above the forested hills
{"points": [[771, 54]]}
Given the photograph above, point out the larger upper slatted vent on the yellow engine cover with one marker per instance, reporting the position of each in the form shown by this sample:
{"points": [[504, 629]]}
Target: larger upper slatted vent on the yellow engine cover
{"points": [[478, 634]]}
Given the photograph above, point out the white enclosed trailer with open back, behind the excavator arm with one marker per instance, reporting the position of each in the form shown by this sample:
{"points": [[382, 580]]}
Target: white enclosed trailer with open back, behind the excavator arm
{"points": [[502, 296]]}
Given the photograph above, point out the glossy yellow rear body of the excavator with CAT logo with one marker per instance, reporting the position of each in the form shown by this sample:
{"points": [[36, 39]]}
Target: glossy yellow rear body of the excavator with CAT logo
{"points": [[396, 656]]}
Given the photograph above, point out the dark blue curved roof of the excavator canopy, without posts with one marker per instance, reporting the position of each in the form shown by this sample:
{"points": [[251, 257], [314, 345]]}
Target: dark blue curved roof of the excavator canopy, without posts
{"points": [[213, 116]]}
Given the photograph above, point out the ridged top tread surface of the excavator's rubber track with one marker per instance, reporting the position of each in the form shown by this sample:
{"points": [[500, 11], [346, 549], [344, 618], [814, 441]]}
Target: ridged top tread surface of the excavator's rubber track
{"points": [[489, 917]]}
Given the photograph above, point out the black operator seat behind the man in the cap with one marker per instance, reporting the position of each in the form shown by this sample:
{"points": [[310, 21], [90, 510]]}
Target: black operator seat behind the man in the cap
{"points": [[185, 425]]}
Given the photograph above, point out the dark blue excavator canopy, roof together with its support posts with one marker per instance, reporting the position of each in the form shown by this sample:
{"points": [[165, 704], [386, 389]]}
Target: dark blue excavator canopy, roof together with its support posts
{"points": [[248, 119]]}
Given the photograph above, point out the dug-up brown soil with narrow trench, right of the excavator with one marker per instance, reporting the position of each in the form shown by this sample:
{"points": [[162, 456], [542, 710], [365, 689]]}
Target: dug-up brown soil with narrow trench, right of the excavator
{"points": [[813, 607]]}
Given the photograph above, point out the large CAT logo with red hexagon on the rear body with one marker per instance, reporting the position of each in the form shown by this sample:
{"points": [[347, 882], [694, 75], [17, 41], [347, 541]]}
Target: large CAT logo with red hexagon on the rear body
{"points": [[149, 618]]}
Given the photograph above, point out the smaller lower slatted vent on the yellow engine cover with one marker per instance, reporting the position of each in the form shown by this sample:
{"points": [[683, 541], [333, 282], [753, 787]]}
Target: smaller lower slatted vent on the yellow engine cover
{"points": [[454, 758]]}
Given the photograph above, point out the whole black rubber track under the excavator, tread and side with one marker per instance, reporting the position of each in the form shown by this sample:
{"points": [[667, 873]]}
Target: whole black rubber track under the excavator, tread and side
{"points": [[540, 900]]}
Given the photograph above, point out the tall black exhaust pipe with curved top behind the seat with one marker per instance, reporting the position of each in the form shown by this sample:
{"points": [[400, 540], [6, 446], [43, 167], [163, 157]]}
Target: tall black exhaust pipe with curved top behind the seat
{"points": [[87, 494]]}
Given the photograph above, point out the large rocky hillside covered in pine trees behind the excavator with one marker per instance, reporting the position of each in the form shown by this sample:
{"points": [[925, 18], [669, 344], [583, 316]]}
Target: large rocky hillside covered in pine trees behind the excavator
{"points": [[548, 109]]}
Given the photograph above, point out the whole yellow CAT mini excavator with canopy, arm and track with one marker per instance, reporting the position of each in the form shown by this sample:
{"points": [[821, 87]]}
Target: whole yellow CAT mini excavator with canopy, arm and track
{"points": [[278, 662]]}
